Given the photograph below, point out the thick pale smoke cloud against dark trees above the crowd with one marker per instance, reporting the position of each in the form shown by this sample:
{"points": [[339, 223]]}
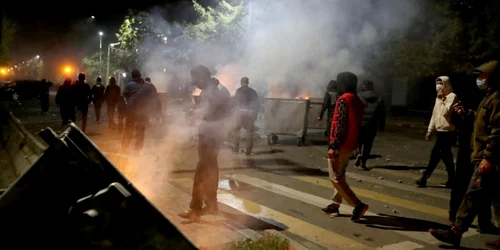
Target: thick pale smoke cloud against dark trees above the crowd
{"points": [[294, 46]]}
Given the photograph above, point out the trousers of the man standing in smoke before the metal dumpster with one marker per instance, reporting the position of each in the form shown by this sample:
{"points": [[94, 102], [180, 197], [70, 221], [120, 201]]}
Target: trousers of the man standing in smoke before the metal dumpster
{"points": [[246, 120]]}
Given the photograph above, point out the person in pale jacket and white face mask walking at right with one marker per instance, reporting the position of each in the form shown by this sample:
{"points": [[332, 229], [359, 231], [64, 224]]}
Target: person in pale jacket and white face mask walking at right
{"points": [[441, 121]]}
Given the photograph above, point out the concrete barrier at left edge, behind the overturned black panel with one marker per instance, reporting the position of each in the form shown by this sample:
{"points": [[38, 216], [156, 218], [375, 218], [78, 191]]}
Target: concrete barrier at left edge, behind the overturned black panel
{"points": [[23, 148]]}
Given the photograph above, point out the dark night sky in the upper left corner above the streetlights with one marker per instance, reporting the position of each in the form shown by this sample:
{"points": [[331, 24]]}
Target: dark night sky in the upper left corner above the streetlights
{"points": [[63, 34]]}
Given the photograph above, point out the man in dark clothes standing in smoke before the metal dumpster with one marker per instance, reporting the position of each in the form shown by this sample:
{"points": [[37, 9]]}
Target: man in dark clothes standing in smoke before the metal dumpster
{"points": [[247, 108]]}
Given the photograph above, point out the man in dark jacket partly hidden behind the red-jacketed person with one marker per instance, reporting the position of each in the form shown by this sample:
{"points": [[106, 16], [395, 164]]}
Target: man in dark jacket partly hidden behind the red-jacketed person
{"points": [[373, 119]]}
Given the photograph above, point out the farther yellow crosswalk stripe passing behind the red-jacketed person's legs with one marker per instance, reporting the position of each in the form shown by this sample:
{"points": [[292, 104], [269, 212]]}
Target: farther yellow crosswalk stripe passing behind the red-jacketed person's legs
{"points": [[380, 197]]}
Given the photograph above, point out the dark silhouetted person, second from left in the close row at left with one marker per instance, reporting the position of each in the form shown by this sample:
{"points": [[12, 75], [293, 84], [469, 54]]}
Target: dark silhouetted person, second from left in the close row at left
{"points": [[83, 97]]}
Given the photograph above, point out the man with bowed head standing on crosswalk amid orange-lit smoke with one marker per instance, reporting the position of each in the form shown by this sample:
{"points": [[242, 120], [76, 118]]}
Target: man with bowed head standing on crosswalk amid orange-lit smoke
{"points": [[214, 108]]}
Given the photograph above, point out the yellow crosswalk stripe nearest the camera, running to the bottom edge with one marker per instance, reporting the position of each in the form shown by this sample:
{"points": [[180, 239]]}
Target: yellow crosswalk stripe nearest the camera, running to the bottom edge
{"points": [[308, 231]]}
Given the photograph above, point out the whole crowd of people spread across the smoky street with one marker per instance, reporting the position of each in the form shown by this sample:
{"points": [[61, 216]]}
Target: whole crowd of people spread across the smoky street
{"points": [[353, 119]]}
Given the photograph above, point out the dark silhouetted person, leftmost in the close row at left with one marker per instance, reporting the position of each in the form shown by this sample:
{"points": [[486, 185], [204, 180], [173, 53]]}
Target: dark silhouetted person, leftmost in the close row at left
{"points": [[65, 102]]}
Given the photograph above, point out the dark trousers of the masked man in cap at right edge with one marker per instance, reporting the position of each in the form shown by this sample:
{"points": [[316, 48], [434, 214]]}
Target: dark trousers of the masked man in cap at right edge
{"points": [[481, 191]]}
